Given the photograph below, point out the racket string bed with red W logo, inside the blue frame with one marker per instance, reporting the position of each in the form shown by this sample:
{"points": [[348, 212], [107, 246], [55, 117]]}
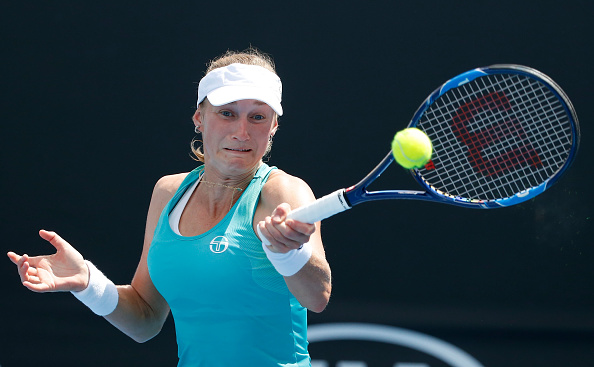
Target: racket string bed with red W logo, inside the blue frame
{"points": [[495, 136]]}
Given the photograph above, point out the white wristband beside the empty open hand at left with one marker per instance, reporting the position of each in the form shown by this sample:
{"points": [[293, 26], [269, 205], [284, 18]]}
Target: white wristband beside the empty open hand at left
{"points": [[101, 295]]}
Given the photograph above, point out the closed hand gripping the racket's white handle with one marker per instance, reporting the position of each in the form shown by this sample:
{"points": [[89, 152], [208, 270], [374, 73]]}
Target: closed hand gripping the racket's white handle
{"points": [[285, 234]]}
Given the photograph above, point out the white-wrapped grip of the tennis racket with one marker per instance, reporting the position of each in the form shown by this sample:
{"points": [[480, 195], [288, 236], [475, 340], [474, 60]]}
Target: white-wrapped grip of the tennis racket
{"points": [[322, 208]]}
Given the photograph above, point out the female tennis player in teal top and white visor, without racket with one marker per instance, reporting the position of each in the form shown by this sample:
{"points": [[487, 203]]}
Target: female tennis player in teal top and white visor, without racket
{"points": [[219, 251]]}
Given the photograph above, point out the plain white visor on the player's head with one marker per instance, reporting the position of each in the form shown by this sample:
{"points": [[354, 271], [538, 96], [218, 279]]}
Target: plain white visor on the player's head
{"points": [[239, 81]]}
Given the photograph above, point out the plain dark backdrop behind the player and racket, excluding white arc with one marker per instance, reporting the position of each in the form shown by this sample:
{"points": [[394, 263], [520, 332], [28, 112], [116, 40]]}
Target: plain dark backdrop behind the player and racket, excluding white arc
{"points": [[96, 106]]}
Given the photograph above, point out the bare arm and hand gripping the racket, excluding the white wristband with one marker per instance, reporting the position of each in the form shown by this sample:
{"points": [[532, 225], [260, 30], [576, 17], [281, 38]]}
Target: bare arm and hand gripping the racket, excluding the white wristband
{"points": [[311, 285]]}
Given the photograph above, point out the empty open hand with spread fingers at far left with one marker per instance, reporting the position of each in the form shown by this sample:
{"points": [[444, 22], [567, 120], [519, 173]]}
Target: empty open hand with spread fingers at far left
{"points": [[61, 272]]}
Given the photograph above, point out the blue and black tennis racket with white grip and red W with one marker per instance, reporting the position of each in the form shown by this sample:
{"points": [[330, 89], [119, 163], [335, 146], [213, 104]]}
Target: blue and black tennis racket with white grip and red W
{"points": [[501, 135]]}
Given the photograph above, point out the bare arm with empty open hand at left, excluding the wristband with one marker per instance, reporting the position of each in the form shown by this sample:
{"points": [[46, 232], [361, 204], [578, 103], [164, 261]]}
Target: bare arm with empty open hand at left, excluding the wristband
{"points": [[141, 310]]}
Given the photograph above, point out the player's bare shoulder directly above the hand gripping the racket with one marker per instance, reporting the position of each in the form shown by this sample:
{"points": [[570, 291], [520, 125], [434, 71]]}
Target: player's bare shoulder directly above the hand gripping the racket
{"points": [[282, 187]]}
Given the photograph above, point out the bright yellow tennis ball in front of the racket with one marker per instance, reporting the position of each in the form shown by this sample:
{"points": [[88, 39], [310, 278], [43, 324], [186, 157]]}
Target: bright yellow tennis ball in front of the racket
{"points": [[411, 148]]}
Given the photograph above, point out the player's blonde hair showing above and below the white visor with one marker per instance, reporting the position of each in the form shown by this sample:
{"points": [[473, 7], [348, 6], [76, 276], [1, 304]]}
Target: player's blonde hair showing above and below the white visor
{"points": [[250, 56]]}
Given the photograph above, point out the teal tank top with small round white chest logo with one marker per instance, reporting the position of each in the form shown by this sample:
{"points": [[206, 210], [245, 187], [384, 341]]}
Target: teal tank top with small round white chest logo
{"points": [[230, 306]]}
